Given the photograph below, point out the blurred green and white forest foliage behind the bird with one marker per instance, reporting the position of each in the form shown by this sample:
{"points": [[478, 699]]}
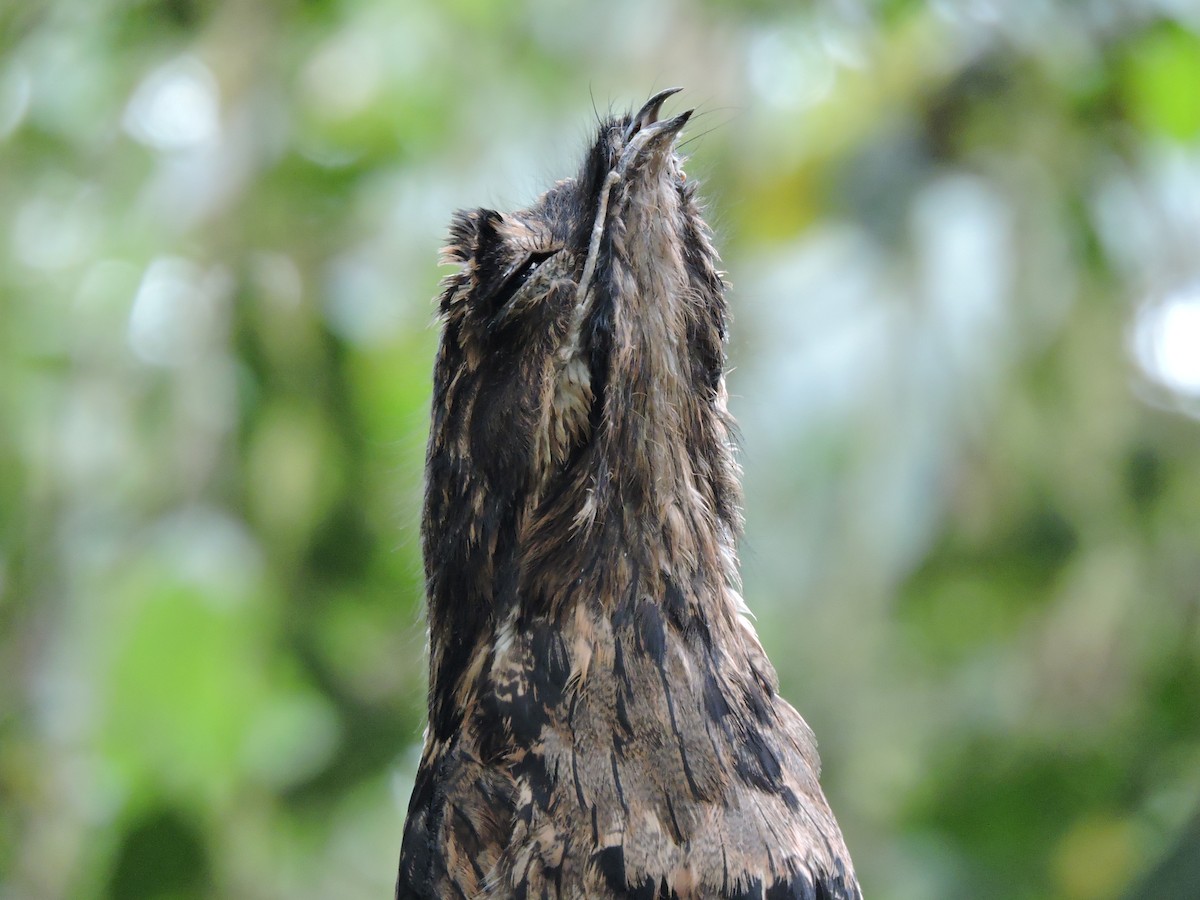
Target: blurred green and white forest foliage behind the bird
{"points": [[962, 237]]}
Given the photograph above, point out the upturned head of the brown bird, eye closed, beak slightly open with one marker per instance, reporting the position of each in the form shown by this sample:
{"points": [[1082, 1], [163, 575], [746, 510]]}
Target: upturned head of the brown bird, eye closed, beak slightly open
{"points": [[595, 319]]}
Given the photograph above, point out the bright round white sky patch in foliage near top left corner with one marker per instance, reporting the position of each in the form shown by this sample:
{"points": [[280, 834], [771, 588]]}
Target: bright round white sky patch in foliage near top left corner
{"points": [[176, 107]]}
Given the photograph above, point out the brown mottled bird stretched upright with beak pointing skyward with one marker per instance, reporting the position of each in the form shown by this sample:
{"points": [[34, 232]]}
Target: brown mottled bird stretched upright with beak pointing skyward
{"points": [[603, 719]]}
